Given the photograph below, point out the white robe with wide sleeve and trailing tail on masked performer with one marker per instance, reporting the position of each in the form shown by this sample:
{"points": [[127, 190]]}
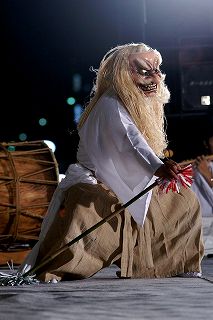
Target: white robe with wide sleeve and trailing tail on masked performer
{"points": [[113, 148]]}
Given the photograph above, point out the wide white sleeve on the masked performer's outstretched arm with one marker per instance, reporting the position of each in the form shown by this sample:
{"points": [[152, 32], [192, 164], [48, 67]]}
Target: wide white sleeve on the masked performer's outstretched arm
{"points": [[134, 160]]}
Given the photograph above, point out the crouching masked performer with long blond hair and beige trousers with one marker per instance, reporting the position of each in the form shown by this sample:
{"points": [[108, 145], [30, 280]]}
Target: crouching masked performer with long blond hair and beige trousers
{"points": [[122, 139]]}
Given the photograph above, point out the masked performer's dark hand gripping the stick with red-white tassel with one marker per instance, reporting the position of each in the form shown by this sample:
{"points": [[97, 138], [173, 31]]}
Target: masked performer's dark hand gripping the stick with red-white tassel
{"points": [[168, 170]]}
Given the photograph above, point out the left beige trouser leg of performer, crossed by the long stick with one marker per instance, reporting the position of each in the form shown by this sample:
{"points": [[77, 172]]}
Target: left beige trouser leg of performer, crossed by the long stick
{"points": [[85, 205]]}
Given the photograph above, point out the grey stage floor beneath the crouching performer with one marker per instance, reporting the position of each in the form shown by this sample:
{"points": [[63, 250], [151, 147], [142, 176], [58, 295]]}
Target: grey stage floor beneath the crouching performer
{"points": [[104, 296]]}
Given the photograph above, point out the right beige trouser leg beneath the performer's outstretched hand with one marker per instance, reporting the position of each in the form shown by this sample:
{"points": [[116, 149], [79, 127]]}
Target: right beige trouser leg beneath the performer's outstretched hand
{"points": [[170, 241]]}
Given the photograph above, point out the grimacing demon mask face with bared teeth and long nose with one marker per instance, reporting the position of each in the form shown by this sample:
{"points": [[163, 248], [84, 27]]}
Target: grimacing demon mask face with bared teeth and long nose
{"points": [[145, 71]]}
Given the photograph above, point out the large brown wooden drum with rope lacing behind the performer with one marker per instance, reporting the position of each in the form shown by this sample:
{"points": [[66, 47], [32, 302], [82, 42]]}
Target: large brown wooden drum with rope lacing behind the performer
{"points": [[28, 177]]}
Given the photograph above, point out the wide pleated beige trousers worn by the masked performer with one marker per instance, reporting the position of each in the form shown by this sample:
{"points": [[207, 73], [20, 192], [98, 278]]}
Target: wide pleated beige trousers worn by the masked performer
{"points": [[169, 242]]}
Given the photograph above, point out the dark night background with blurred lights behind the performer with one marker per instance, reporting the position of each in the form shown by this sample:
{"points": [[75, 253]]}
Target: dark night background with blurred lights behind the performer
{"points": [[45, 42]]}
